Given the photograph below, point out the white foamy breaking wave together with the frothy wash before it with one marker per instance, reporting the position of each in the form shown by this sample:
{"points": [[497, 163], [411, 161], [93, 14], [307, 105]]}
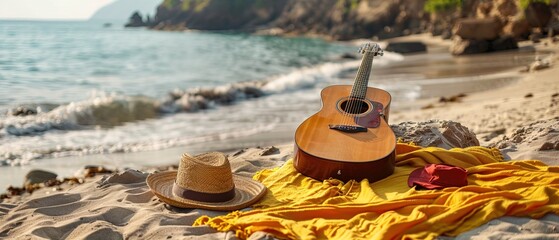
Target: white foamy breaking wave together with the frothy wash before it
{"points": [[110, 122]]}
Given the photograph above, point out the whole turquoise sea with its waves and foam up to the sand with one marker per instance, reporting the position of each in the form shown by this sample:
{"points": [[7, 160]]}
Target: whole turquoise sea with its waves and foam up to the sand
{"points": [[78, 88]]}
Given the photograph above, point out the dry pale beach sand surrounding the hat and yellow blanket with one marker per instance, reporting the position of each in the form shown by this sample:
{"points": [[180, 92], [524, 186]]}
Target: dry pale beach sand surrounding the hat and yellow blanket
{"points": [[521, 119]]}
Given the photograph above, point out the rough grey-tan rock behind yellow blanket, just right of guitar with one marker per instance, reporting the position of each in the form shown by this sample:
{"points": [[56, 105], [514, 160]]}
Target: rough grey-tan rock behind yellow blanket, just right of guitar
{"points": [[436, 133]]}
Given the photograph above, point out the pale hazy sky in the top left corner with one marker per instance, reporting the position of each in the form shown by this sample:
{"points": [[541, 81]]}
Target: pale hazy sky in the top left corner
{"points": [[50, 9]]}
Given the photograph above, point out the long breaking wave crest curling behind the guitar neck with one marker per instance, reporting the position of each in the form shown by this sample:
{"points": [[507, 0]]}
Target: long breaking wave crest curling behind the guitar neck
{"points": [[110, 109]]}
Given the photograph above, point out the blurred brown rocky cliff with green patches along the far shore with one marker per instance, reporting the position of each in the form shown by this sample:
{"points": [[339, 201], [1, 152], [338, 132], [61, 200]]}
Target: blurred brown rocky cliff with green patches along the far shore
{"points": [[334, 19]]}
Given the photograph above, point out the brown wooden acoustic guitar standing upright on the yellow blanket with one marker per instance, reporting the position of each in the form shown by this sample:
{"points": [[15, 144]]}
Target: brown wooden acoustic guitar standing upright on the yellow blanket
{"points": [[349, 138]]}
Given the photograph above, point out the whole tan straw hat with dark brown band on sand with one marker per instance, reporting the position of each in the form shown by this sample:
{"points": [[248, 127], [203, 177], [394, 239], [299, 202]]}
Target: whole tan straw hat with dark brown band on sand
{"points": [[205, 181]]}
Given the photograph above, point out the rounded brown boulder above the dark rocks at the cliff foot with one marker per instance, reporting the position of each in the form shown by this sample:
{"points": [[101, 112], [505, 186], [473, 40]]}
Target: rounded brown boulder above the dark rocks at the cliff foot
{"points": [[478, 29]]}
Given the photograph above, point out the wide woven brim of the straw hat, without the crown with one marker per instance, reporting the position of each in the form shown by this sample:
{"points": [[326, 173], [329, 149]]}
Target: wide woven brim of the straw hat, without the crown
{"points": [[247, 192]]}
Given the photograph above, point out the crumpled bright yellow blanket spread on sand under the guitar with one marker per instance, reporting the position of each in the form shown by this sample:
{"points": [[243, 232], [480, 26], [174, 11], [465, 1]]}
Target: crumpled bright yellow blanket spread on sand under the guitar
{"points": [[299, 207]]}
